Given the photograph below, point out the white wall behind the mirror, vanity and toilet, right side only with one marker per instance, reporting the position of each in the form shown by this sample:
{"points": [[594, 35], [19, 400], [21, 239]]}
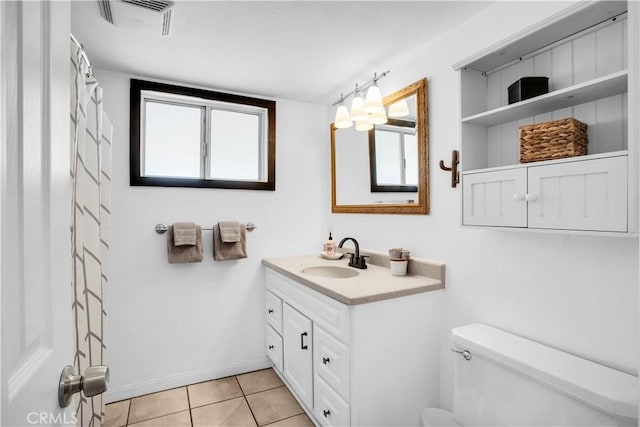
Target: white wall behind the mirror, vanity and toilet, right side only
{"points": [[576, 293]]}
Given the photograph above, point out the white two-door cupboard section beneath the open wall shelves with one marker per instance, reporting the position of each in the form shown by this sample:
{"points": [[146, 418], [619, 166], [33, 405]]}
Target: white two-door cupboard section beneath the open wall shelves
{"points": [[588, 195]]}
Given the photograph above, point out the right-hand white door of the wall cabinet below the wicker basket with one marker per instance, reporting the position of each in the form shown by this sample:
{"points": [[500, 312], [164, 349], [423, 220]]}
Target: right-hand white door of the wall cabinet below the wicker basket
{"points": [[584, 195]]}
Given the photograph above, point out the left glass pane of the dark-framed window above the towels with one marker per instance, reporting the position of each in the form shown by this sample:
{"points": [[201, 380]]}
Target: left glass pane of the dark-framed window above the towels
{"points": [[172, 140]]}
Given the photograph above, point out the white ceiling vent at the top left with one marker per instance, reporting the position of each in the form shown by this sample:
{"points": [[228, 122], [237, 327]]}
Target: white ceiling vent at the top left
{"points": [[148, 16]]}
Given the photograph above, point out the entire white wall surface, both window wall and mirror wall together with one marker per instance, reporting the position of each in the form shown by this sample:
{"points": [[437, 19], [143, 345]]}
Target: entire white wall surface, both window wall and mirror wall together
{"points": [[173, 324]]}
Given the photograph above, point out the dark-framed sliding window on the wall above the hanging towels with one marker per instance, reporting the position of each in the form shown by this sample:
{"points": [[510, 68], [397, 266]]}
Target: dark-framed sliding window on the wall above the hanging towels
{"points": [[250, 113]]}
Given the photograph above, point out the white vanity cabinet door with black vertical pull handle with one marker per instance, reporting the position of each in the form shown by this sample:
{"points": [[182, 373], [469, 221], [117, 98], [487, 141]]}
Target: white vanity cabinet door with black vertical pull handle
{"points": [[298, 360]]}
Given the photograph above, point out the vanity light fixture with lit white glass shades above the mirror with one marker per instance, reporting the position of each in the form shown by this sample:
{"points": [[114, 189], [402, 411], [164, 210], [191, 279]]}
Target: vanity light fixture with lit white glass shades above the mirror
{"points": [[365, 112]]}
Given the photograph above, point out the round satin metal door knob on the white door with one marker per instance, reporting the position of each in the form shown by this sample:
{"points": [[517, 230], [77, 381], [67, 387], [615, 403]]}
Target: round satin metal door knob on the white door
{"points": [[94, 381]]}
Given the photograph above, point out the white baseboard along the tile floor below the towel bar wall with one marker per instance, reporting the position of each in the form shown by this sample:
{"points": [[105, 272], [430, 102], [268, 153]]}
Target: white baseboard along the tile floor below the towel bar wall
{"points": [[128, 391]]}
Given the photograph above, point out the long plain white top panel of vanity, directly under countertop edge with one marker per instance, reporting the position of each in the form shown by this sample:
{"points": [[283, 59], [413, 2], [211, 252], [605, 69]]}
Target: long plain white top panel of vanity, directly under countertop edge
{"points": [[331, 315]]}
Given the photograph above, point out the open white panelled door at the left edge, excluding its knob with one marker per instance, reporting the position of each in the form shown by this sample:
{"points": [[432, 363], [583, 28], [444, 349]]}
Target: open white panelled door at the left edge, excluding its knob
{"points": [[35, 211]]}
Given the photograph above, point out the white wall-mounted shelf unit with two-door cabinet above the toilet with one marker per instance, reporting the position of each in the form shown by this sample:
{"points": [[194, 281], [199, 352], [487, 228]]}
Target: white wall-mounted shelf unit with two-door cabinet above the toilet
{"points": [[593, 76]]}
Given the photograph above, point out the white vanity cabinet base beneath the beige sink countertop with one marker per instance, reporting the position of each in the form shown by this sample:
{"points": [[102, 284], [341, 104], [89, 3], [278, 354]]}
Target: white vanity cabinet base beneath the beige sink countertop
{"points": [[362, 365]]}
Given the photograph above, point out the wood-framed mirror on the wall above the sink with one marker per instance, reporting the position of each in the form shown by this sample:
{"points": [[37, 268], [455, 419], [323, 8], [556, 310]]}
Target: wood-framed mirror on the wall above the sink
{"points": [[384, 170]]}
